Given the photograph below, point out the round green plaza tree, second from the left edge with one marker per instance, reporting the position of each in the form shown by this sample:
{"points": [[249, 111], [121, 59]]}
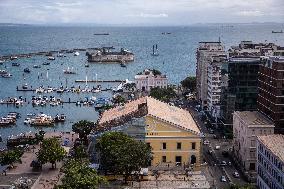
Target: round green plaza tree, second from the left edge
{"points": [[51, 151]]}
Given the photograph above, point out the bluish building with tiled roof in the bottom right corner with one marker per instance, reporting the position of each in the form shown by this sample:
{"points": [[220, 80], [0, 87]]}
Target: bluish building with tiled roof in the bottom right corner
{"points": [[270, 162]]}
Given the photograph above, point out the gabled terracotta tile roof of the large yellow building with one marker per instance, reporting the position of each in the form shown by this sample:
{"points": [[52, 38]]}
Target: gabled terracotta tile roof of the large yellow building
{"points": [[155, 108]]}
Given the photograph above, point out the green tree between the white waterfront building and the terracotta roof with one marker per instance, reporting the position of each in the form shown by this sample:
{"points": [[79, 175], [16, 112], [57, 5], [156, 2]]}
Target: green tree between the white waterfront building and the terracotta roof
{"points": [[163, 94]]}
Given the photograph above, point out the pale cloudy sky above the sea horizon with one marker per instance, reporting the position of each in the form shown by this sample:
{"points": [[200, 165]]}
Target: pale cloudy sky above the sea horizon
{"points": [[140, 12]]}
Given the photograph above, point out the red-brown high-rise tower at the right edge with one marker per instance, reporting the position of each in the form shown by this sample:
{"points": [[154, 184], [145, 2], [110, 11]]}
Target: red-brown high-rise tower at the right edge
{"points": [[271, 91]]}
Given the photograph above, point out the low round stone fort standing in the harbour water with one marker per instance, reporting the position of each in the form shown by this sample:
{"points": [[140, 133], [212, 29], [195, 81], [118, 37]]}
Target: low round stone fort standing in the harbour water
{"points": [[105, 55]]}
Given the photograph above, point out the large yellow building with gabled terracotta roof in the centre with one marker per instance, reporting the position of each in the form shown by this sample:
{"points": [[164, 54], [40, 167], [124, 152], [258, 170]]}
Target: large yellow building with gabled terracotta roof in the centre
{"points": [[170, 131]]}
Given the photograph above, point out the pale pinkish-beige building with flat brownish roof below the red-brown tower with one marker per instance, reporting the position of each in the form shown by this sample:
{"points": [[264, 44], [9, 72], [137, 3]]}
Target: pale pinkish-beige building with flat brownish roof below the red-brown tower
{"points": [[247, 125]]}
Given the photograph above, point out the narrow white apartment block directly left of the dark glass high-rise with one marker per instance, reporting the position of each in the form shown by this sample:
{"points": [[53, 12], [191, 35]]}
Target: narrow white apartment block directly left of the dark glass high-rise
{"points": [[214, 84]]}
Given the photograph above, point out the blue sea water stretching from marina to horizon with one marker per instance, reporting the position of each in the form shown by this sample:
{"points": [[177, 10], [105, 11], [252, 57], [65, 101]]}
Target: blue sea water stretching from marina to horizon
{"points": [[176, 59]]}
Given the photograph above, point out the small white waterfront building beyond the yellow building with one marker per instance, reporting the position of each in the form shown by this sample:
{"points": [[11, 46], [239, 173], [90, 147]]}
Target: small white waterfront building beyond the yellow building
{"points": [[147, 80]]}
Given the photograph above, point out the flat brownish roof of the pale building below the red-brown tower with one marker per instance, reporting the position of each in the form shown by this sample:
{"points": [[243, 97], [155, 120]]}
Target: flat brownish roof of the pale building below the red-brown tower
{"points": [[254, 118]]}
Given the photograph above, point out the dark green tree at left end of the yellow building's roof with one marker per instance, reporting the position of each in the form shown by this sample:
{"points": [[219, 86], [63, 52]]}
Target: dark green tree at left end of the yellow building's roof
{"points": [[83, 128]]}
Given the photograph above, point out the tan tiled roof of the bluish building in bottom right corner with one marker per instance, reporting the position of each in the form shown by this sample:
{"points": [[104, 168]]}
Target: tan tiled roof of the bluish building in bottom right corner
{"points": [[275, 143]]}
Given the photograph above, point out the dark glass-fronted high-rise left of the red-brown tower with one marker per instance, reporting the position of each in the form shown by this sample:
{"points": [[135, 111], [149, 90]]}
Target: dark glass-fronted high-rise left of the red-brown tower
{"points": [[240, 92]]}
